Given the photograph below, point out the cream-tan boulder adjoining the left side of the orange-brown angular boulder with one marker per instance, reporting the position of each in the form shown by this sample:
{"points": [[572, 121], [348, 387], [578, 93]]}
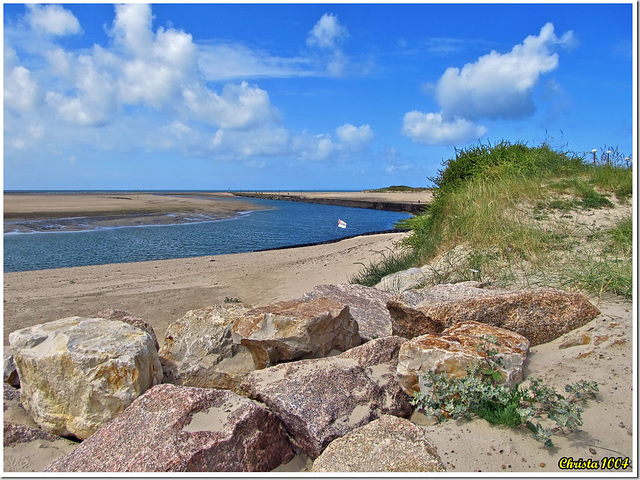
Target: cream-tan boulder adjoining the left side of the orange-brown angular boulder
{"points": [[198, 349]]}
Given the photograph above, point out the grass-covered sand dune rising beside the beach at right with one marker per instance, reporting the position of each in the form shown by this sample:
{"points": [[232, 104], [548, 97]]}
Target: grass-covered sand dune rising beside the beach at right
{"points": [[520, 216]]}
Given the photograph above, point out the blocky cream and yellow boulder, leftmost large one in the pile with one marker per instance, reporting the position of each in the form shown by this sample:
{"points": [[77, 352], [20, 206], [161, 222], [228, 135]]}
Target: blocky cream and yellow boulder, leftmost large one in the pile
{"points": [[78, 373]]}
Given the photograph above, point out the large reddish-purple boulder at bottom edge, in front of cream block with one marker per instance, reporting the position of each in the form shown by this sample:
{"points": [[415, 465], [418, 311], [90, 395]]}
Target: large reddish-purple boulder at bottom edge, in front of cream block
{"points": [[184, 429]]}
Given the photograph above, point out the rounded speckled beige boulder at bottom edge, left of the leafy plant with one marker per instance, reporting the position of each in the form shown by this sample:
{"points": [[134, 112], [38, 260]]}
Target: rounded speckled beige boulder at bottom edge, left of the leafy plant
{"points": [[388, 444]]}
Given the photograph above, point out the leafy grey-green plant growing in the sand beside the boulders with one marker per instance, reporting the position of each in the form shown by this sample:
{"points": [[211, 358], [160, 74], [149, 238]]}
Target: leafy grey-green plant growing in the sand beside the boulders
{"points": [[479, 394]]}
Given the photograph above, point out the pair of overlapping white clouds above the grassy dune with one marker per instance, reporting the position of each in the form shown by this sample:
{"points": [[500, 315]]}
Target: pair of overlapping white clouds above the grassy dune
{"points": [[494, 86]]}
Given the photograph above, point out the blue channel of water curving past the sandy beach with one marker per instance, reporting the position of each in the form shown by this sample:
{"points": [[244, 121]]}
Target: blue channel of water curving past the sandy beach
{"points": [[286, 224]]}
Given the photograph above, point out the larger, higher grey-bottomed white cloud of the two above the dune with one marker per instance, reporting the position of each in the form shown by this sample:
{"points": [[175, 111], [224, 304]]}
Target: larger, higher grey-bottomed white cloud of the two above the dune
{"points": [[500, 85]]}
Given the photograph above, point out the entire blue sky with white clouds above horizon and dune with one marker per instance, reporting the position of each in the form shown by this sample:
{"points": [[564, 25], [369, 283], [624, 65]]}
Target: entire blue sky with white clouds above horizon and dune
{"points": [[302, 96]]}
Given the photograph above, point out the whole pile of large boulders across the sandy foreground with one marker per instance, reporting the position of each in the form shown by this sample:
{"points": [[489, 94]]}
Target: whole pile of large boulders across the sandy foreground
{"points": [[250, 387]]}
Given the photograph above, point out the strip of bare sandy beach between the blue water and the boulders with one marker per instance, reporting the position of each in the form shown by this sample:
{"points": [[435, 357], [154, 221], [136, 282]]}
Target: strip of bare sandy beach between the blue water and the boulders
{"points": [[164, 290]]}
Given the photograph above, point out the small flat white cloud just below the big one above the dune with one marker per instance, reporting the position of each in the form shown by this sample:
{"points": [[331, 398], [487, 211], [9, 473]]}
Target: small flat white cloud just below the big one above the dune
{"points": [[432, 129]]}
